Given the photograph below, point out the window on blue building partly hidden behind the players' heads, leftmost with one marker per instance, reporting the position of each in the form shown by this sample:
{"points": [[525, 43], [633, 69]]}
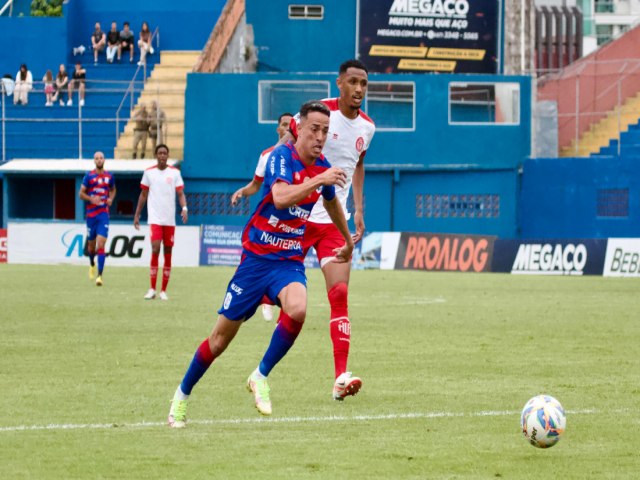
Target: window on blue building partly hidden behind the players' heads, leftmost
{"points": [[277, 96]]}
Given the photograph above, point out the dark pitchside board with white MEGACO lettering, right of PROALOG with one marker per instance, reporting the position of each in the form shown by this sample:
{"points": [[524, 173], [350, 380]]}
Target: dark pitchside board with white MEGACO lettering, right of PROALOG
{"points": [[550, 257]]}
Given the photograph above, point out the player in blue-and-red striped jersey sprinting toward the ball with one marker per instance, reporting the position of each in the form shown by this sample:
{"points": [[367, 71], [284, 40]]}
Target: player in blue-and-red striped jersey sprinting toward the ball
{"points": [[272, 261]]}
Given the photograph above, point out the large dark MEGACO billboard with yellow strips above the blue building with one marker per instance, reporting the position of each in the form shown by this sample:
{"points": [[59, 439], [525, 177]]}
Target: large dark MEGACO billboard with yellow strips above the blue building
{"points": [[453, 36]]}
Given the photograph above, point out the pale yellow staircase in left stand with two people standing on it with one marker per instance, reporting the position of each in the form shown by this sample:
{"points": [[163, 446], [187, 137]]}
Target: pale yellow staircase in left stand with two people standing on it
{"points": [[166, 85]]}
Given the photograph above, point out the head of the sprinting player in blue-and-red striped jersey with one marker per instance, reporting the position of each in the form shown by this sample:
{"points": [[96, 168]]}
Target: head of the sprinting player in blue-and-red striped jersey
{"points": [[313, 129]]}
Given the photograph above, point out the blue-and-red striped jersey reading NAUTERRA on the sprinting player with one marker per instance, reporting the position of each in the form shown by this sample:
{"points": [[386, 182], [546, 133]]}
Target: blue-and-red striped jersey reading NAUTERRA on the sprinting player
{"points": [[276, 234]]}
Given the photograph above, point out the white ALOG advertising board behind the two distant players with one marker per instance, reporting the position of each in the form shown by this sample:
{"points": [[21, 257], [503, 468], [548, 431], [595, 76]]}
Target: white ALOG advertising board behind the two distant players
{"points": [[54, 243]]}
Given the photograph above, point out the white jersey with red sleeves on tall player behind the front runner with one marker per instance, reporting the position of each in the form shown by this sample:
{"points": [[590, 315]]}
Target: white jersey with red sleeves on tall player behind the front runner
{"points": [[347, 142]]}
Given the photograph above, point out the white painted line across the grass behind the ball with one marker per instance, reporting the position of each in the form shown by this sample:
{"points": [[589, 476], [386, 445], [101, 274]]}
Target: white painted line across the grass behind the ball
{"points": [[236, 421]]}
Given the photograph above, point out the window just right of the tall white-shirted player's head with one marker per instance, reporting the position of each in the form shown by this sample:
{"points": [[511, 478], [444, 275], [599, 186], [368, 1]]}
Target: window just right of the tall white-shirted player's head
{"points": [[392, 105]]}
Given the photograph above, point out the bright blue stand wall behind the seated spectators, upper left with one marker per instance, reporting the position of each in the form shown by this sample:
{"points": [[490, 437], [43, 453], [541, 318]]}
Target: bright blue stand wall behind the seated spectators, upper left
{"points": [[44, 43]]}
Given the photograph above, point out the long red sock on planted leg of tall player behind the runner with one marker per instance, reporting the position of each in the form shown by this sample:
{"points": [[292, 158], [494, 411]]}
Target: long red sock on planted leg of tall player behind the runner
{"points": [[339, 326]]}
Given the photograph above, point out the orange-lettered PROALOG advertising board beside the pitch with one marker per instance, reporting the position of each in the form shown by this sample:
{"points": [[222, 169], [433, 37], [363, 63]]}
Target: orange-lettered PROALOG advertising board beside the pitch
{"points": [[462, 253]]}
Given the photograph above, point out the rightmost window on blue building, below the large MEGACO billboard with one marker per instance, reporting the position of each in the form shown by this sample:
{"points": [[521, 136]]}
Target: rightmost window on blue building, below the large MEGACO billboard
{"points": [[472, 103]]}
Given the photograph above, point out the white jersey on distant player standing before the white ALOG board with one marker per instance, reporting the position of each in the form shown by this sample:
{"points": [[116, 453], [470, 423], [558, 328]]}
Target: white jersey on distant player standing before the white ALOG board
{"points": [[162, 186]]}
